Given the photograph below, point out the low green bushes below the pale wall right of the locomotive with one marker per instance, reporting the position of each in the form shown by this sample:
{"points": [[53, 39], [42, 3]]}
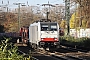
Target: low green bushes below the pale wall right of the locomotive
{"points": [[84, 42]]}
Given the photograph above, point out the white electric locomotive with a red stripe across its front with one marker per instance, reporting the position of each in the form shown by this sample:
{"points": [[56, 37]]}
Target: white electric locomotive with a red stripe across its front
{"points": [[44, 34]]}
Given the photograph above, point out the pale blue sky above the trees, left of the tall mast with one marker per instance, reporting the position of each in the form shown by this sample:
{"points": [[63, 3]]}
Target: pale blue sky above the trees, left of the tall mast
{"points": [[30, 2]]}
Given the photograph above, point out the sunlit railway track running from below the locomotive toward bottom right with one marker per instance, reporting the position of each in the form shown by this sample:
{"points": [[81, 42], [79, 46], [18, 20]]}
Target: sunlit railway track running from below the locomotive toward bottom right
{"points": [[61, 56]]}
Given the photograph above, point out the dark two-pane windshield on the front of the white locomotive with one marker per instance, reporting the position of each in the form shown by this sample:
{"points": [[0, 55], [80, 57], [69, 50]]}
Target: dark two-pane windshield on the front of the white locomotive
{"points": [[49, 27]]}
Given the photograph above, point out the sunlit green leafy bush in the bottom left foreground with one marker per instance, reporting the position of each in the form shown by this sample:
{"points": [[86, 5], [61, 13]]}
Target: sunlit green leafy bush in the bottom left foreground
{"points": [[9, 52]]}
